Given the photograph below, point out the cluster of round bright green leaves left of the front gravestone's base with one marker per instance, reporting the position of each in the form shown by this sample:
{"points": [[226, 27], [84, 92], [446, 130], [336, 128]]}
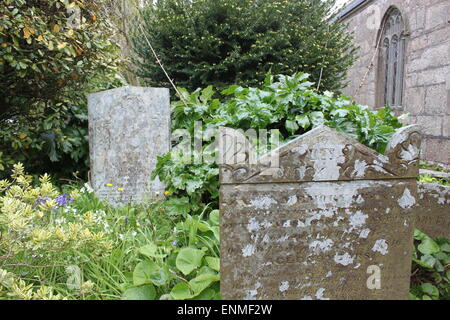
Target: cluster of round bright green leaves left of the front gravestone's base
{"points": [[184, 266]]}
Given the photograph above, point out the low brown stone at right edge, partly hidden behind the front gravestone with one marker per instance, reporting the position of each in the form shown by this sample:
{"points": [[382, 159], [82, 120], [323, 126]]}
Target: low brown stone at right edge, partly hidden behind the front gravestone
{"points": [[433, 218]]}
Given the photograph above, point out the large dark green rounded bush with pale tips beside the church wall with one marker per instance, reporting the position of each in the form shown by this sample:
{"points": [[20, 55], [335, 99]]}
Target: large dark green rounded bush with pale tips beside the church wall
{"points": [[221, 42]]}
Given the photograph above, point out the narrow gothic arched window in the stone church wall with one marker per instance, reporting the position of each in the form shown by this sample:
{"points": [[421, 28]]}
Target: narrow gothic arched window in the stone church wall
{"points": [[392, 52]]}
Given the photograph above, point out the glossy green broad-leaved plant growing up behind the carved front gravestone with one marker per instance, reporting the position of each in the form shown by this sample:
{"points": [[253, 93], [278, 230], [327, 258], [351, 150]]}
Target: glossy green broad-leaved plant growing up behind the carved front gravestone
{"points": [[289, 104]]}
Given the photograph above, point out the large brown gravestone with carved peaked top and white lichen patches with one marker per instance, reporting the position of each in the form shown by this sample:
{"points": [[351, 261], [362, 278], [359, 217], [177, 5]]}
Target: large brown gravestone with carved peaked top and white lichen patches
{"points": [[334, 221]]}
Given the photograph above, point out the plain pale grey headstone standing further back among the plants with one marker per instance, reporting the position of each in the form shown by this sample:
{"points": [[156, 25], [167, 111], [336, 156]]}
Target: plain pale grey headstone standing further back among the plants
{"points": [[128, 128]]}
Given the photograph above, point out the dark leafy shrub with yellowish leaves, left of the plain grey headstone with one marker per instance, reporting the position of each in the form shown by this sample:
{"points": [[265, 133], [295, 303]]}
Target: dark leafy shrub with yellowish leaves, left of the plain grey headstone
{"points": [[49, 60]]}
